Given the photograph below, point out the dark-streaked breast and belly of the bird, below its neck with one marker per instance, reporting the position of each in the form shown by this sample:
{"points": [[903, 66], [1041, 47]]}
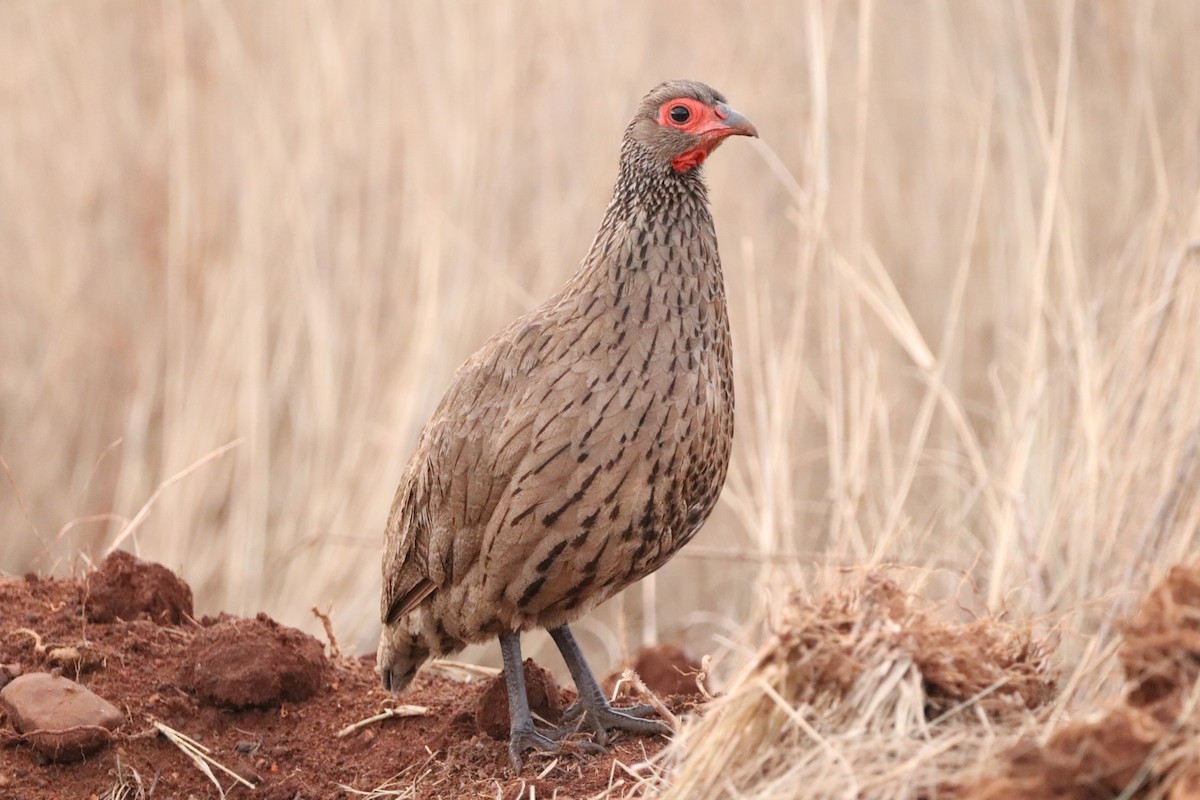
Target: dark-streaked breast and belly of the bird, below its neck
{"points": [[623, 424]]}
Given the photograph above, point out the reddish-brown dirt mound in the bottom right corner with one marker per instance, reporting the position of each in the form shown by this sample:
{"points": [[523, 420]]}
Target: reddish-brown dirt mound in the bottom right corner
{"points": [[1143, 747]]}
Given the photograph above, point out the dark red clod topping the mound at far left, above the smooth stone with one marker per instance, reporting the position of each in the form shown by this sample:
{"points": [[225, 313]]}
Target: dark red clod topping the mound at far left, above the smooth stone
{"points": [[128, 588]]}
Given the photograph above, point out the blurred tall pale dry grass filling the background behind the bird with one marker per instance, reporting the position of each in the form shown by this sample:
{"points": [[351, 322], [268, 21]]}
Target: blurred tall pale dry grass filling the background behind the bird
{"points": [[961, 269]]}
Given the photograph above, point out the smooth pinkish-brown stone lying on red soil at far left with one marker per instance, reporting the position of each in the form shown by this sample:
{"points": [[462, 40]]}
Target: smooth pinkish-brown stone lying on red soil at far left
{"points": [[62, 719]]}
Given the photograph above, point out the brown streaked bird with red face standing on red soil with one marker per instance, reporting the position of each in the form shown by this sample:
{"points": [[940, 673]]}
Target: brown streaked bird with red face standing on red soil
{"points": [[584, 444]]}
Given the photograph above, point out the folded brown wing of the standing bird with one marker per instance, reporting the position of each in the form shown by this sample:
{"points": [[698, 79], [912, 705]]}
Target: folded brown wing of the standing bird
{"points": [[464, 462]]}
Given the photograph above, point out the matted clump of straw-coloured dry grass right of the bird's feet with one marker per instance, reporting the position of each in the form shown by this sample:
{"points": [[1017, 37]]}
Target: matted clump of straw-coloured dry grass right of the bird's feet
{"points": [[861, 695]]}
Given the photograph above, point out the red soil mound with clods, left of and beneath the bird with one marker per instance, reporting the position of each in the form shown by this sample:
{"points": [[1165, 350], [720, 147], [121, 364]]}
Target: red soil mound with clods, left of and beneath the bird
{"points": [[304, 737]]}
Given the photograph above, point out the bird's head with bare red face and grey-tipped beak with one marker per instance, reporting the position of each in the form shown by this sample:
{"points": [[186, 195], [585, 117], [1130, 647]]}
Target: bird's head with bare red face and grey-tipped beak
{"points": [[682, 122]]}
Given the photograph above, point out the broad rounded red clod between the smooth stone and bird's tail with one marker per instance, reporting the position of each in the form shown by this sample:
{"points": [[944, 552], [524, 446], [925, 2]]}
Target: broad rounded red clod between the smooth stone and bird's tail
{"points": [[243, 664]]}
